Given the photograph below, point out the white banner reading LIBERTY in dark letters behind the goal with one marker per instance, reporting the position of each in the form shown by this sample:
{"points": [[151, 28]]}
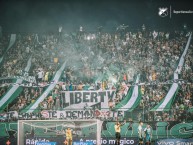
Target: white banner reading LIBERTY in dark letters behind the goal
{"points": [[86, 99]]}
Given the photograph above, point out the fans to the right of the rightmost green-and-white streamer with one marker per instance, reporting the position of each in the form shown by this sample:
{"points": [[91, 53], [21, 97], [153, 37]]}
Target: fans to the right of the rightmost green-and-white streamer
{"points": [[184, 99]]}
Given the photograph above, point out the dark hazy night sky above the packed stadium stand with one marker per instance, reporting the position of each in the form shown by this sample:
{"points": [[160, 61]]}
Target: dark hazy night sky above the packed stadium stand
{"points": [[47, 15]]}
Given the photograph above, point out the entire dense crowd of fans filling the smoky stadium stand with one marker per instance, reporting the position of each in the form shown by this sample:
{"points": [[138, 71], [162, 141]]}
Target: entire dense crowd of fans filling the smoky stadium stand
{"points": [[102, 61]]}
